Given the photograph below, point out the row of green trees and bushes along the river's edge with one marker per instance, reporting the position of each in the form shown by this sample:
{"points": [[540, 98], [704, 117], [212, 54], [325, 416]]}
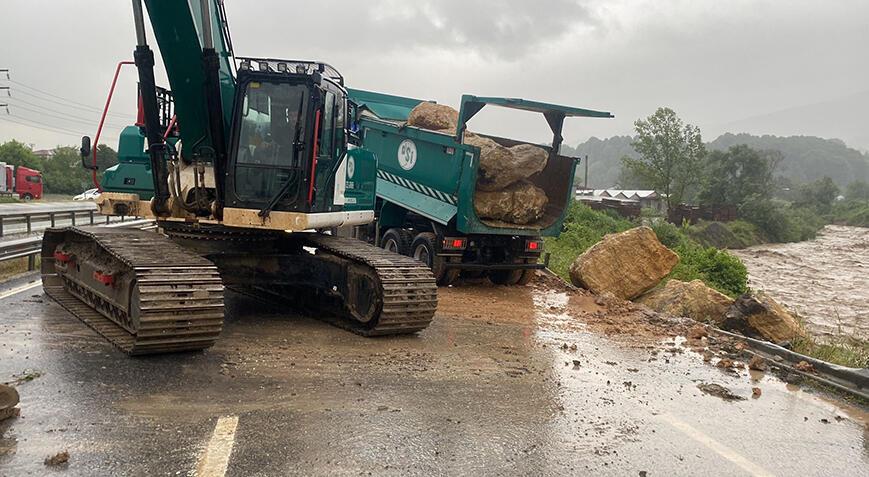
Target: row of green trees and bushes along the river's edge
{"points": [[673, 160]]}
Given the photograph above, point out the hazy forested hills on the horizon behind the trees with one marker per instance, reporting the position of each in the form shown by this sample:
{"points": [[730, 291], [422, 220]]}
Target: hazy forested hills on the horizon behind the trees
{"points": [[806, 158]]}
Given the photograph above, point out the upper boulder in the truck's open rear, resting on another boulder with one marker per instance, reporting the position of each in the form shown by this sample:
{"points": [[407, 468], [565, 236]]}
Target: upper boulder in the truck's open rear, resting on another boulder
{"points": [[502, 166]]}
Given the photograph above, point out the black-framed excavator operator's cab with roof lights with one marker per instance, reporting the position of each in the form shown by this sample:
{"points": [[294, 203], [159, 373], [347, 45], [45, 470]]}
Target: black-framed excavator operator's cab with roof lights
{"points": [[288, 140]]}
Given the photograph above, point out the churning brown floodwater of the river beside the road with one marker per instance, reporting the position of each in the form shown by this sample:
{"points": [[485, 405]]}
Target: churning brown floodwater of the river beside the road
{"points": [[825, 280]]}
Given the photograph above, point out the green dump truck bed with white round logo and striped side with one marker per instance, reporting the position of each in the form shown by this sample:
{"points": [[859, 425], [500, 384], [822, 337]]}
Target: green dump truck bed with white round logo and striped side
{"points": [[433, 174]]}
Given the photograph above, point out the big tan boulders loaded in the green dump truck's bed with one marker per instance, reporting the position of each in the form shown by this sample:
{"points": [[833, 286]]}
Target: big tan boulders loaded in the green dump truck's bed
{"points": [[503, 191]]}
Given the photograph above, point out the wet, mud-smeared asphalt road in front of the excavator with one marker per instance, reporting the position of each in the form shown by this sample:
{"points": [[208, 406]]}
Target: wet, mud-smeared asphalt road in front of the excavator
{"points": [[468, 396]]}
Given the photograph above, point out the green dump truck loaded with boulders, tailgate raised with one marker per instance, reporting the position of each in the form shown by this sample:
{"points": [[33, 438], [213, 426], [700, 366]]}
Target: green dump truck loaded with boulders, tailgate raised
{"points": [[426, 182]]}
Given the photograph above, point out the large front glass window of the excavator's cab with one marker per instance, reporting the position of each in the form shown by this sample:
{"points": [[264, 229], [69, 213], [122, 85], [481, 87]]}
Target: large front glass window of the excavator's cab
{"points": [[271, 140]]}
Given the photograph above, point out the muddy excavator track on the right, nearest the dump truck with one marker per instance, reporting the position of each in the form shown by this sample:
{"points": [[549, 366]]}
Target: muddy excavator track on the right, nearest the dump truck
{"points": [[405, 292]]}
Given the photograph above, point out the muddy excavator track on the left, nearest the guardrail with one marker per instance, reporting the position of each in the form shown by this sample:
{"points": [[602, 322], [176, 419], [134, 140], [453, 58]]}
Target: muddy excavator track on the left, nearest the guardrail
{"points": [[136, 288]]}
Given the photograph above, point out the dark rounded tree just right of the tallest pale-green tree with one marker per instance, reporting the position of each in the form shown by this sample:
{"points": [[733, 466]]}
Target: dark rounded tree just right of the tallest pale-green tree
{"points": [[732, 177]]}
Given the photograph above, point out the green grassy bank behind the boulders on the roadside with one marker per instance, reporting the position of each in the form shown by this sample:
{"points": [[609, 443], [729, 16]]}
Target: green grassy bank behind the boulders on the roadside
{"points": [[585, 227]]}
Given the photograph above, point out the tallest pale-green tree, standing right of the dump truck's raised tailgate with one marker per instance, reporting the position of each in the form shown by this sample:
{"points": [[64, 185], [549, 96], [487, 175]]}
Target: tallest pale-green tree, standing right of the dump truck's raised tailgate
{"points": [[671, 154]]}
